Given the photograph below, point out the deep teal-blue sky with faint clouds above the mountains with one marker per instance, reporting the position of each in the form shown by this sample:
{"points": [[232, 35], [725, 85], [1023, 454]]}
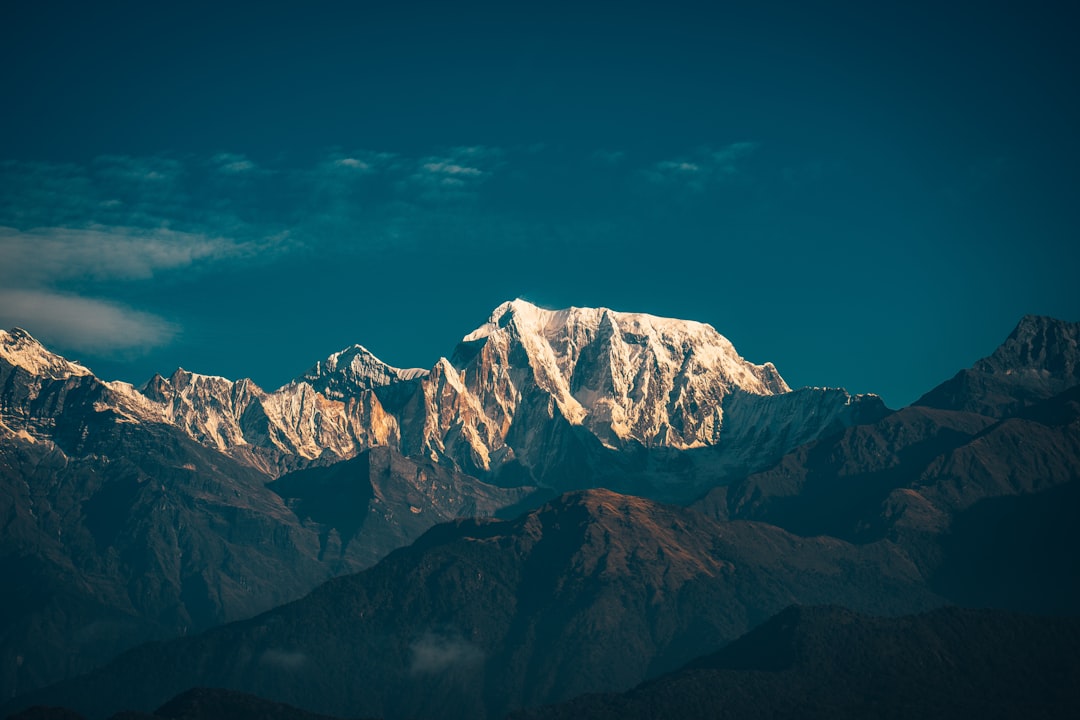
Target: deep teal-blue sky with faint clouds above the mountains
{"points": [[868, 195]]}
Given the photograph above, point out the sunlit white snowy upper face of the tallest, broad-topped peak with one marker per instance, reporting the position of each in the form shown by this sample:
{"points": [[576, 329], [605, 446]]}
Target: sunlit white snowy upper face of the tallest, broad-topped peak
{"points": [[625, 376]]}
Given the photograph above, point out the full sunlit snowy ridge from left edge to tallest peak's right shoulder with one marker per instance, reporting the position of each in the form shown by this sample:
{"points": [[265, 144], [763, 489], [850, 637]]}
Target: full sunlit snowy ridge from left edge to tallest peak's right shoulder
{"points": [[506, 397]]}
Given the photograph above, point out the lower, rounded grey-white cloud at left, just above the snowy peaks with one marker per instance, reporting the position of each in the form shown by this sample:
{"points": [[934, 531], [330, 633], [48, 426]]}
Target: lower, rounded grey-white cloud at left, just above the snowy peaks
{"points": [[86, 324]]}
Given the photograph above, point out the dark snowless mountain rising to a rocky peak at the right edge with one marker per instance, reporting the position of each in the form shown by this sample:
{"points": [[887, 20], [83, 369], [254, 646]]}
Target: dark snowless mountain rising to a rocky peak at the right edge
{"points": [[948, 486]]}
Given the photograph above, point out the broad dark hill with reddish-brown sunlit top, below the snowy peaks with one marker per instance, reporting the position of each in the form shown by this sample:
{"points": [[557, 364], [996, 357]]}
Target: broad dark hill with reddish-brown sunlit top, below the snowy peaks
{"points": [[593, 592]]}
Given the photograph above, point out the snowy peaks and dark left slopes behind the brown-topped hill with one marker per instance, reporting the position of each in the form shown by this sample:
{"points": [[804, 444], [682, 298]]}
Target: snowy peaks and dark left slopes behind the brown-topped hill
{"points": [[139, 513]]}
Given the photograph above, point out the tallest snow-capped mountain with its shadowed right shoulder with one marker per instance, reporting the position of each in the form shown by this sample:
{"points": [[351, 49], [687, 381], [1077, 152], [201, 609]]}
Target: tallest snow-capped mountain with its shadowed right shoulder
{"points": [[530, 377]]}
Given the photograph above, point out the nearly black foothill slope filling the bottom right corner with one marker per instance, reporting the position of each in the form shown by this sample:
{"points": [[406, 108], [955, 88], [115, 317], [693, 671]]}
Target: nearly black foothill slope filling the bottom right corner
{"points": [[811, 663]]}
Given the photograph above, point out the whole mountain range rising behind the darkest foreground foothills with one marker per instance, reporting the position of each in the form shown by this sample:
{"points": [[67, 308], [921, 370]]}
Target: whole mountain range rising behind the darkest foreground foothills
{"points": [[150, 513]]}
